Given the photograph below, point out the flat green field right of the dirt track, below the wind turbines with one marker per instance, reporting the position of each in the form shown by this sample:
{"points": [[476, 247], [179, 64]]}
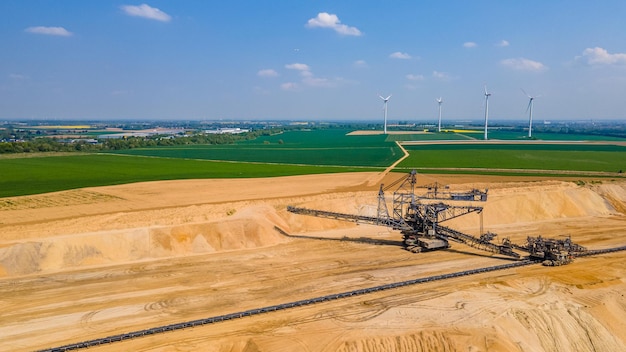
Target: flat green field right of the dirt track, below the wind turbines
{"points": [[557, 157]]}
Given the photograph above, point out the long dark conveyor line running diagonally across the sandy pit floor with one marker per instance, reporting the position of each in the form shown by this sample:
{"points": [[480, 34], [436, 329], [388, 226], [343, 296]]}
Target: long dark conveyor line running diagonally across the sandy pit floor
{"points": [[305, 302]]}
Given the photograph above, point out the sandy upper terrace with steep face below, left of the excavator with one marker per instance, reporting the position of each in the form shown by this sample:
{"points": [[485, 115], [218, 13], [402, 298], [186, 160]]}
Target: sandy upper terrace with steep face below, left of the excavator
{"points": [[120, 224]]}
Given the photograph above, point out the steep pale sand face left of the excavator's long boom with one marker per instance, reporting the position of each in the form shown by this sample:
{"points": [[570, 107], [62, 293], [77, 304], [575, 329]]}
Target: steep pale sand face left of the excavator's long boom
{"points": [[253, 228]]}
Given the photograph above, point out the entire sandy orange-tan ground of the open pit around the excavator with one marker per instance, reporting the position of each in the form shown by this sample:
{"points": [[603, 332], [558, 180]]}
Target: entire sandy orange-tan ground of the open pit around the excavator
{"points": [[94, 262]]}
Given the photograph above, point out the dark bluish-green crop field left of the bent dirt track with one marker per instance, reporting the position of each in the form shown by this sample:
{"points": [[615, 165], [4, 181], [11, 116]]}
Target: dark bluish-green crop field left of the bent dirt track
{"points": [[318, 147]]}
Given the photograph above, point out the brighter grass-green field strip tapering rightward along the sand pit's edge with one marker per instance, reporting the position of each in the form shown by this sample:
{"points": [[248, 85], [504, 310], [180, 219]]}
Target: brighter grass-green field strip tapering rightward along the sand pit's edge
{"points": [[33, 175]]}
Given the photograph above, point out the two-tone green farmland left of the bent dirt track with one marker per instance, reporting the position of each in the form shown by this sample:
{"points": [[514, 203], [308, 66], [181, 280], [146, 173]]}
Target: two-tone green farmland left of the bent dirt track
{"points": [[292, 153]]}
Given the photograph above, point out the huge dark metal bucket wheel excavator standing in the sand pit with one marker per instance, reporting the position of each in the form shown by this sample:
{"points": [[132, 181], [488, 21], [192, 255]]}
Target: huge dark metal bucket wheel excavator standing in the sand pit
{"points": [[419, 216]]}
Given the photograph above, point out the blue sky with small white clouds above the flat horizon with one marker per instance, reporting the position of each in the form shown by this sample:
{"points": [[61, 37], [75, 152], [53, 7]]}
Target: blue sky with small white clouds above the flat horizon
{"points": [[311, 60]]}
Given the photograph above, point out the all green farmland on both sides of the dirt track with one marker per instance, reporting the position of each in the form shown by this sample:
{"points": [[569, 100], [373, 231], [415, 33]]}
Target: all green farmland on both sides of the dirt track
{"points": [[300, 152]]}
